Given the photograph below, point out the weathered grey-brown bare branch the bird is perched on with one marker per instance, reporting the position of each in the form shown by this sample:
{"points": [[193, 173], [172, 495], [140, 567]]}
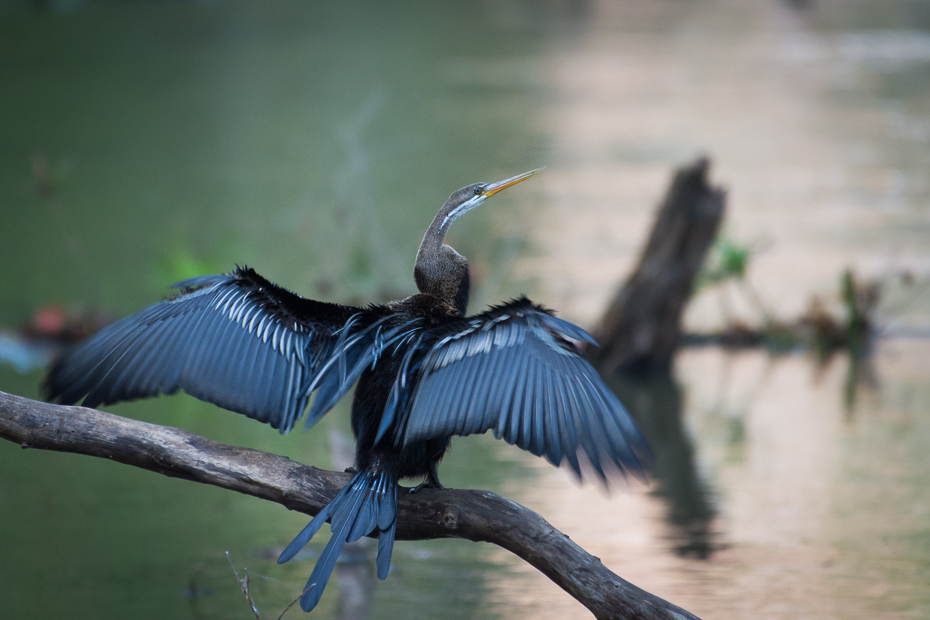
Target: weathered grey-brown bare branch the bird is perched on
{"points": [[472, 515]]}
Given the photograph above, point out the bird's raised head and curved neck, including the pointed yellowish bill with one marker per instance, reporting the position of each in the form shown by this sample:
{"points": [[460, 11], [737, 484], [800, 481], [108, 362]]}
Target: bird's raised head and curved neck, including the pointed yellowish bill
{"points": [[440, 270]]}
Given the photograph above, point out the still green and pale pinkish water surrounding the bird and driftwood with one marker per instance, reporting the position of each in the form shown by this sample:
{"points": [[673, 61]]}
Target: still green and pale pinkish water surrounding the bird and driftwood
{"points": [[140, 142]]}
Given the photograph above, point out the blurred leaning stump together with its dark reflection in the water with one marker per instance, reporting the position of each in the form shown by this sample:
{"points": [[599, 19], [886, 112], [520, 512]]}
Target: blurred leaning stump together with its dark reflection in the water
{"points": [[639, 334]]}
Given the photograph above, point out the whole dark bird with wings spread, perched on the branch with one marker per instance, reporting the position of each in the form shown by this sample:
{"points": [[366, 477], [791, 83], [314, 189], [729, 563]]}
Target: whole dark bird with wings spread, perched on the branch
{"points": [[425, 372]]}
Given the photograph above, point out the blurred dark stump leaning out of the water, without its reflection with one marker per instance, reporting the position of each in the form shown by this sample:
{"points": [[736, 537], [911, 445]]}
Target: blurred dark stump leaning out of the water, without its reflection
{"points": [[642, 326]]}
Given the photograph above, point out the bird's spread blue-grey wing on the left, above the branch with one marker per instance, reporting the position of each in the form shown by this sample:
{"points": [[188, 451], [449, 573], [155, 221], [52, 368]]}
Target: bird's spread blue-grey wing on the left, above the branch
{"points": [[235, 340]]}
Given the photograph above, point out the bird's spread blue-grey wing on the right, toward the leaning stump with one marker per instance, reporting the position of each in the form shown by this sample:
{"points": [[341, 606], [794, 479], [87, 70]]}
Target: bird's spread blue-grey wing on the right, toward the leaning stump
{"points": [[516, 370]]}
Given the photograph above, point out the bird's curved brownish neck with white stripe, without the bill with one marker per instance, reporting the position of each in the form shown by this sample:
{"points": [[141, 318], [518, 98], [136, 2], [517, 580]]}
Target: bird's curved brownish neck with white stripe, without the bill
{"points": [[440, 271]]}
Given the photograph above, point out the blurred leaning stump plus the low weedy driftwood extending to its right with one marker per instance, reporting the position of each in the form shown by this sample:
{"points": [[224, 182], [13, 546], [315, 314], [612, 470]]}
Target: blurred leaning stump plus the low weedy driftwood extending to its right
{"points": [[641, 328]]}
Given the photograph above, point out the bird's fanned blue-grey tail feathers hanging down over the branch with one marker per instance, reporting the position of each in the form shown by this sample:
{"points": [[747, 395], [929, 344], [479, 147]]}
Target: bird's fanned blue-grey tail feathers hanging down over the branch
{"points": [[366, 504]]}
